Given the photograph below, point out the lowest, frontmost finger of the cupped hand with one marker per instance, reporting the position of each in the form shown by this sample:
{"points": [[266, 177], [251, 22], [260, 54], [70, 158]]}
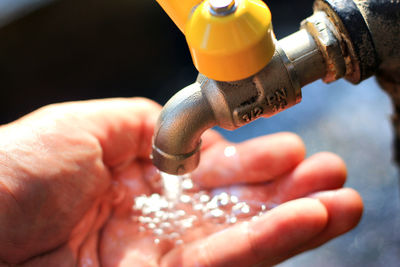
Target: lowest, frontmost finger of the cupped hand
{"points": [[269, 238]]}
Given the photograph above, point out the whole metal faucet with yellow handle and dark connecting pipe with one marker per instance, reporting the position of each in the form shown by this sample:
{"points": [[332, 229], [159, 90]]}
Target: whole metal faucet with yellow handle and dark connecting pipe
{"points": [[351, 39]]}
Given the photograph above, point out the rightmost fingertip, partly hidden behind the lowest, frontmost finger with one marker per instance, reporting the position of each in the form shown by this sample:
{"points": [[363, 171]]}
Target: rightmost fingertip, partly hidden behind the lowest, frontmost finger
{"points": [[345, 209]]}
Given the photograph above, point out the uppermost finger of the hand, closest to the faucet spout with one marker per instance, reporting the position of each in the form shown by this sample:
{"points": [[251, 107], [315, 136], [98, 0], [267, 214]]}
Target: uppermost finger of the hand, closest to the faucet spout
{"points": [[257, 160]]}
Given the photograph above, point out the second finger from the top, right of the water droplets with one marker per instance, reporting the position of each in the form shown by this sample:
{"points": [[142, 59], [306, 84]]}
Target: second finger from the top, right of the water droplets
{"points": [[322, 171]]}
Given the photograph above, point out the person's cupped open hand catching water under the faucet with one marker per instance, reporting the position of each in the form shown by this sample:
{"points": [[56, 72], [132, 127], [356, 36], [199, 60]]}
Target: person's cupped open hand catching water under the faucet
{"points": [[69, 173]]}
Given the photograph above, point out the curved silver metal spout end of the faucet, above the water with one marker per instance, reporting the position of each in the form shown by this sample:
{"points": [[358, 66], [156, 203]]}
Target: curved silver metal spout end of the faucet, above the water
{"points": [[176, 141]]}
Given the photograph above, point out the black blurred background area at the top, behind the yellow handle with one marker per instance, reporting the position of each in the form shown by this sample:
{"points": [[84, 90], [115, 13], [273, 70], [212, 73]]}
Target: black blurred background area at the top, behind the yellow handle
{"points": [[53, 51]]}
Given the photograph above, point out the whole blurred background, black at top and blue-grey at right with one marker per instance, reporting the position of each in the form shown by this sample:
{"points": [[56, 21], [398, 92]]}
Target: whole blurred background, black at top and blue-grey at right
{"points": [[61, 50]]}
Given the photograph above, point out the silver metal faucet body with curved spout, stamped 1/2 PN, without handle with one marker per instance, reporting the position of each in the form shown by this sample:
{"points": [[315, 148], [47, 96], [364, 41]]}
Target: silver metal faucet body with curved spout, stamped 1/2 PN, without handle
{"points": [[207, 103]]}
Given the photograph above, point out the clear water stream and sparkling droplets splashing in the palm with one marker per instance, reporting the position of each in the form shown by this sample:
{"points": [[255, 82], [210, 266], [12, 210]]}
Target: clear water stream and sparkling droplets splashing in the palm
{"points": [[181, 208]]}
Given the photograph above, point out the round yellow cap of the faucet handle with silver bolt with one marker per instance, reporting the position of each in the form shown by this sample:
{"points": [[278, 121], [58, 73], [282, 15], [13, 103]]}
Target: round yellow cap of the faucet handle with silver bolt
{"points": [[230, 40]]}
